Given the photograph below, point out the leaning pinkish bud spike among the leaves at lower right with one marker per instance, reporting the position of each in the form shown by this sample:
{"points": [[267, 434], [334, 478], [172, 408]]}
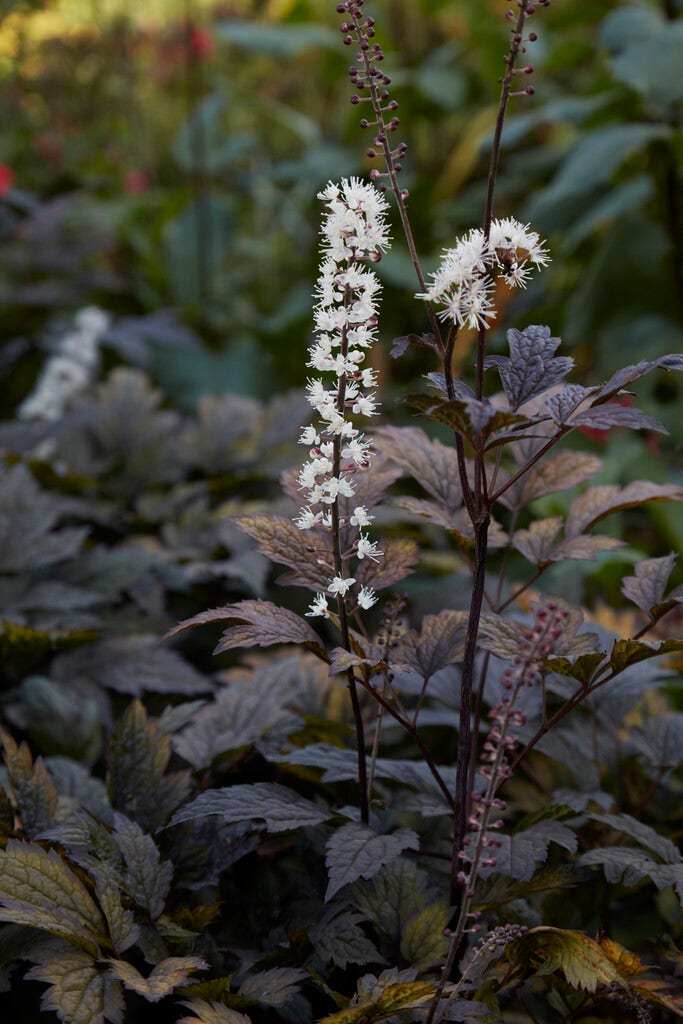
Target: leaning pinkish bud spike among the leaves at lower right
{"points": [[539, 643]]}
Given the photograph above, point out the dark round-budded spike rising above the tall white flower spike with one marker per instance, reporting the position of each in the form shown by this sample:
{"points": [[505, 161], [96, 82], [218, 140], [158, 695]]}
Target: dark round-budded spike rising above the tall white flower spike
{"points": [[370, 83]]}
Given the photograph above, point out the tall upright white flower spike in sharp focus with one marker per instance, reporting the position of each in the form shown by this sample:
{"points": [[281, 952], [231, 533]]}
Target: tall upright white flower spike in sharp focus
{"points": [[355, 233]]}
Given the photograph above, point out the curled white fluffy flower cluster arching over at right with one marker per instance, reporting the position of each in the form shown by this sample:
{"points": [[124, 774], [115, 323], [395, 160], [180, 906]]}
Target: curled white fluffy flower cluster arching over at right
{"points": [[464, 283]]}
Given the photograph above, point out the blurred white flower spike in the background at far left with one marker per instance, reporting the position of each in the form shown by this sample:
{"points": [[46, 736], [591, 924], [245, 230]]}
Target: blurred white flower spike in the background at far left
{"points": [[70, 371]]}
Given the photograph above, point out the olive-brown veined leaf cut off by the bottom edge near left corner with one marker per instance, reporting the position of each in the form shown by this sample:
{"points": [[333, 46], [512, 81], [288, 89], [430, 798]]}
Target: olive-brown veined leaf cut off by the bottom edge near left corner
{"points": [[79, 993]]}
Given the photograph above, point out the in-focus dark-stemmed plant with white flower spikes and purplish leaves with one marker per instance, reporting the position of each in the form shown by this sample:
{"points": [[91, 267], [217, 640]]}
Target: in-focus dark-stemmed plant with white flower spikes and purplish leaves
{"points": [[503, 458]]}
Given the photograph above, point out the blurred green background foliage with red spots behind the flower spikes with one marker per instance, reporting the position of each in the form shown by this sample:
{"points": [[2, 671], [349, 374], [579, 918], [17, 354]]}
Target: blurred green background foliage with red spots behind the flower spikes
{"points": [[161, 160]]}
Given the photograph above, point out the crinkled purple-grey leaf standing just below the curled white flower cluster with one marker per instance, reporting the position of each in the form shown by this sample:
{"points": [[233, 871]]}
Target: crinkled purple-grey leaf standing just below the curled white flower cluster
{"points": [[532, 368]]}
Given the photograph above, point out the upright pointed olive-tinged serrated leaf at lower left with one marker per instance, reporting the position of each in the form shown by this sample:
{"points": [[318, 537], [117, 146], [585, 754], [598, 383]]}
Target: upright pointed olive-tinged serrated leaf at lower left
{"points": [[137, 782]]}
